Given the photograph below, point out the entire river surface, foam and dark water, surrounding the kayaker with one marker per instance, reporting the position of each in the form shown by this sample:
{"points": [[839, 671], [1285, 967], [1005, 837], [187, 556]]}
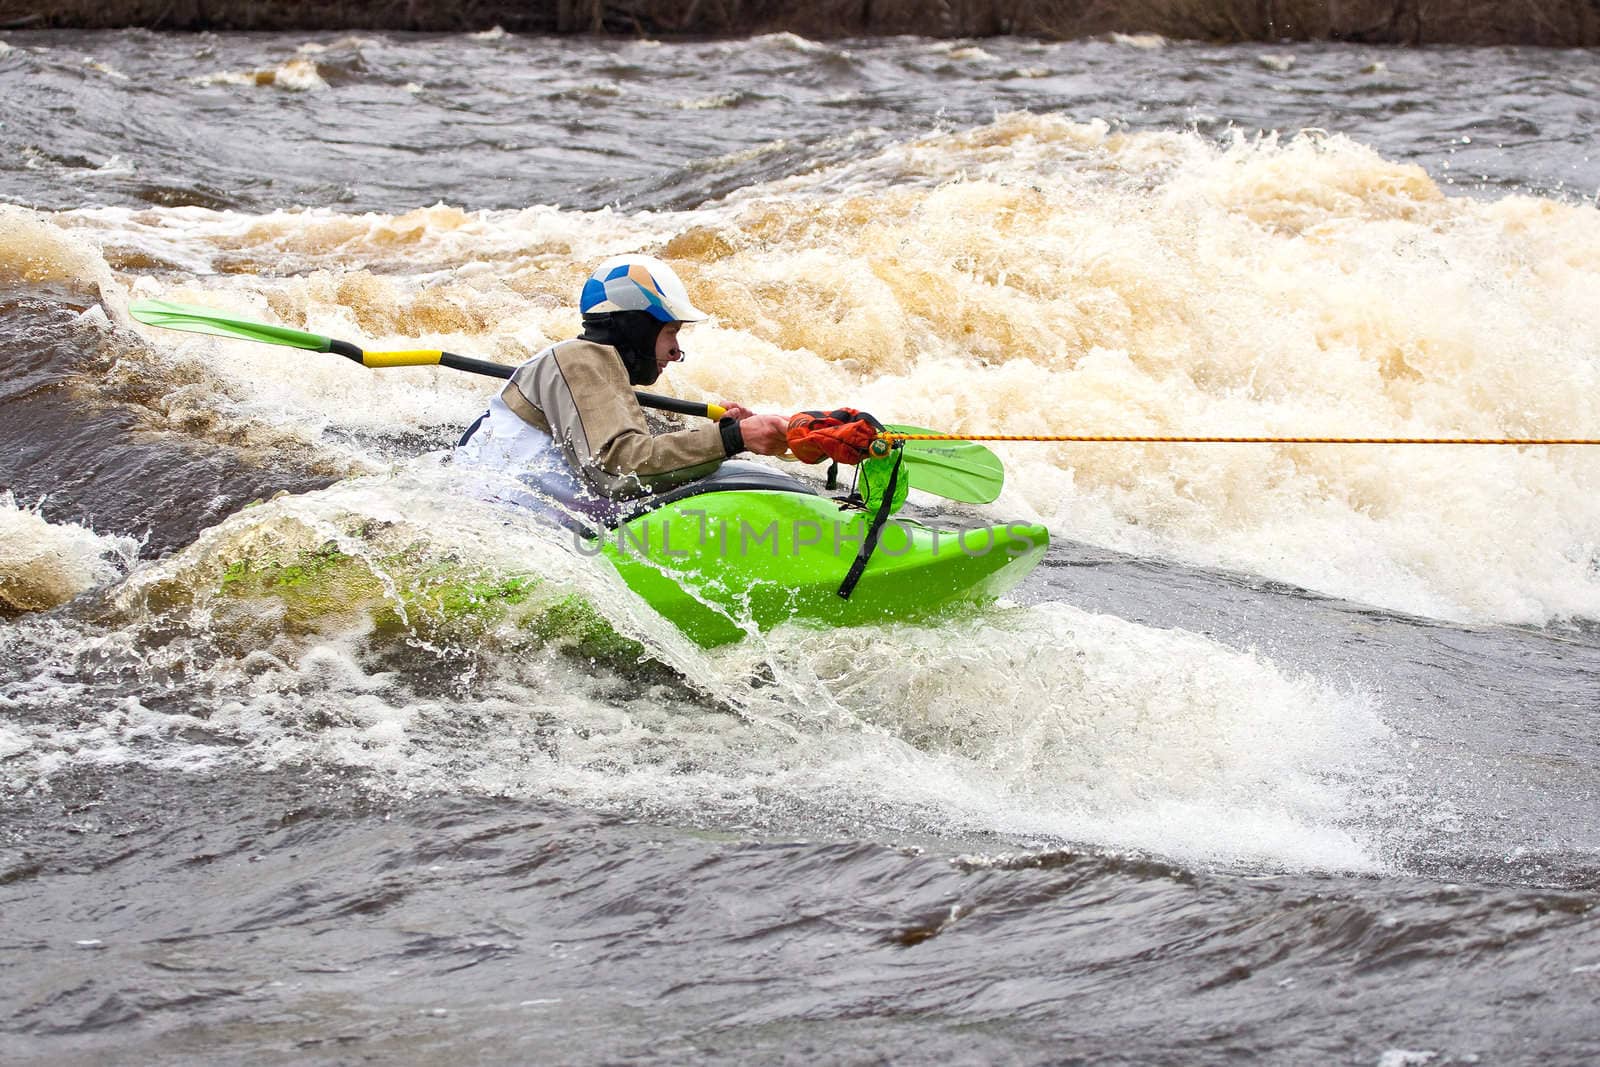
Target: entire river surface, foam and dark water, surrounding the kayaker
{"points": [[1286, 754]]}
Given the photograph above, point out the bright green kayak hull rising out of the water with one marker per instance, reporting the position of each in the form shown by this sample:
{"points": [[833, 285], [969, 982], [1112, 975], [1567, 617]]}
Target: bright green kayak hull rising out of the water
{"points": [[727, 564]]}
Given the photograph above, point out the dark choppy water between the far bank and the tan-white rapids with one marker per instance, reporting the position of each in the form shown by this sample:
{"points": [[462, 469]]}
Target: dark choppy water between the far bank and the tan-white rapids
{"points": [[508, 121]]}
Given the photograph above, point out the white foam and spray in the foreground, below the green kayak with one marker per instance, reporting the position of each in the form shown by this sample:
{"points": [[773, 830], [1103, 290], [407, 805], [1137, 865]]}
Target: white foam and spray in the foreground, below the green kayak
{"points": [[1041, 724]]}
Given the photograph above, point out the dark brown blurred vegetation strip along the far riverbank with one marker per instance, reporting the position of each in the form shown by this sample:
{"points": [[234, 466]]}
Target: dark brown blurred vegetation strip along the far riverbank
{"points": [[1562, 23]]}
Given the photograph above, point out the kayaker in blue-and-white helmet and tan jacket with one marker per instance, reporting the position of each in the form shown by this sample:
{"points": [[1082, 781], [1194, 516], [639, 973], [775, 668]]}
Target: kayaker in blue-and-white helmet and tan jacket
{"points": [[572, 409]]}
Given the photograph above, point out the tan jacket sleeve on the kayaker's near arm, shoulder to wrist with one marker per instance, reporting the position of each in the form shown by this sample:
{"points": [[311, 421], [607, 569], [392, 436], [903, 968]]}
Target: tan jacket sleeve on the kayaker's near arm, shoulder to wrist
{"points": [[580, 394]]}
